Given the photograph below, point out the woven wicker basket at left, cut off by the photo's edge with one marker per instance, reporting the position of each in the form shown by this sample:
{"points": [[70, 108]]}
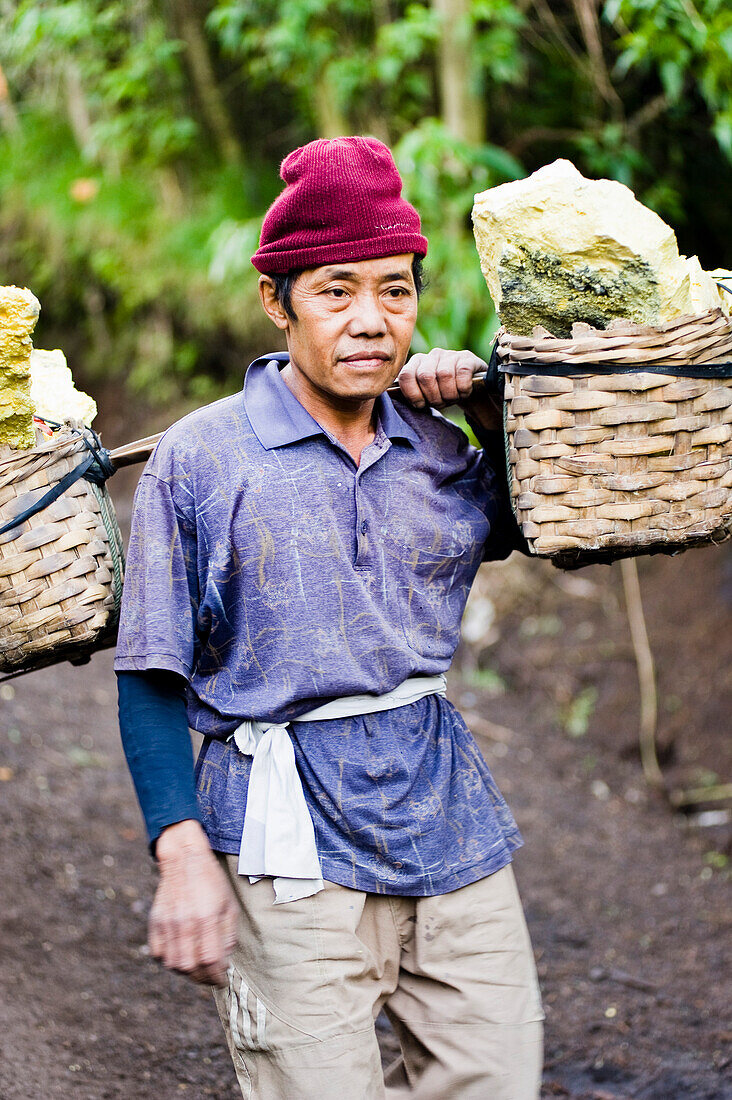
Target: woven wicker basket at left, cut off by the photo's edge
{"points": [[61, 570]]}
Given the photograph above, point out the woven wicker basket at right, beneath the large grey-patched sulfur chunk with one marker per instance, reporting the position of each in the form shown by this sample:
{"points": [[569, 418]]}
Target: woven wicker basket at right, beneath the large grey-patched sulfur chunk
{"points": [[620, 441]]}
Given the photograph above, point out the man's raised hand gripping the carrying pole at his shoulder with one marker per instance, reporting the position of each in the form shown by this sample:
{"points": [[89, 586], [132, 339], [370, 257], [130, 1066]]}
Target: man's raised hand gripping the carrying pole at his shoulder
{"points": [[444, 378]]}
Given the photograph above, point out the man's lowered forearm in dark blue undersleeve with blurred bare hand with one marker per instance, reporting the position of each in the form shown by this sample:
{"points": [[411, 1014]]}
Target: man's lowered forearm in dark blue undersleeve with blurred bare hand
{"points": [[193, 921]]}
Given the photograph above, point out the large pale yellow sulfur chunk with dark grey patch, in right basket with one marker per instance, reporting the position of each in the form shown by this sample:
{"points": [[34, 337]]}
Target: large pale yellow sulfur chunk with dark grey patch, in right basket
{"points": [[558, 249]]}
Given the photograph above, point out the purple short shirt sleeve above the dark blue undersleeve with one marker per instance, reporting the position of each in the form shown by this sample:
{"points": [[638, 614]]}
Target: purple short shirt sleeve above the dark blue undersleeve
{"points": [[160, 598]]}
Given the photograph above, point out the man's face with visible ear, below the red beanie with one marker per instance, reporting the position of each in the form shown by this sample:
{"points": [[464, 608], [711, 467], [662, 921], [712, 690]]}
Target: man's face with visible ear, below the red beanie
{"points": [[354, 328]]}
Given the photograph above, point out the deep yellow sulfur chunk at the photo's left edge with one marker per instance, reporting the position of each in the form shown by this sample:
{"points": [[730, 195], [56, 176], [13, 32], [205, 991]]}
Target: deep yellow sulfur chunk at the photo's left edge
{"points": [[19, 312]]}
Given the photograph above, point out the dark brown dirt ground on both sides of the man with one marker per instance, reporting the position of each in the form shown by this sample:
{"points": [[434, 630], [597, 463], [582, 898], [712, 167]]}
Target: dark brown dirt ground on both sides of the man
{"points": [[628, 903]]}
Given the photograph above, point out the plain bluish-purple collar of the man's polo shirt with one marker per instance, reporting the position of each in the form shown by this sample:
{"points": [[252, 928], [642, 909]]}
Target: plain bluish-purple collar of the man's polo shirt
{"points": [[279, 419]]}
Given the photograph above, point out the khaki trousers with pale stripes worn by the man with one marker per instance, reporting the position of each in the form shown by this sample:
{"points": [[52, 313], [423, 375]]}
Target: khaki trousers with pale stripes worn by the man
{"points": [[455, 975]]}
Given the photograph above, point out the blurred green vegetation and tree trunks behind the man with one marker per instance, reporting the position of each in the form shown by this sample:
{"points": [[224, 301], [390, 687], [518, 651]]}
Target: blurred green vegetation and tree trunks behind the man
{"points": [[140, 144]]}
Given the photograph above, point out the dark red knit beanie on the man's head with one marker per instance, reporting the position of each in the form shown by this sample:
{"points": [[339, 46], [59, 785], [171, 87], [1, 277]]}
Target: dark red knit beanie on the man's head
{"points": [[343, 202]]}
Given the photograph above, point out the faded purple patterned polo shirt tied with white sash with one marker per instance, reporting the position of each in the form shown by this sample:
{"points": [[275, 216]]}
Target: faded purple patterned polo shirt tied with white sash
{"points": [[275, 575]]}
